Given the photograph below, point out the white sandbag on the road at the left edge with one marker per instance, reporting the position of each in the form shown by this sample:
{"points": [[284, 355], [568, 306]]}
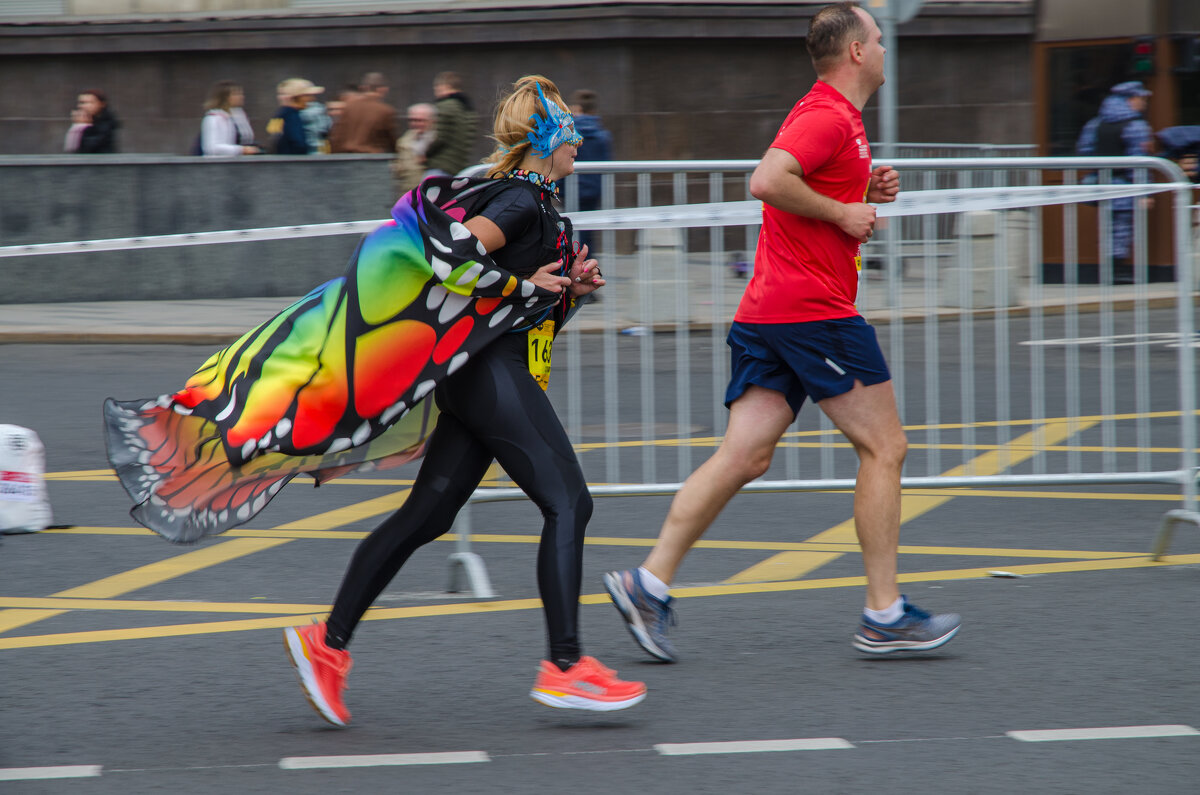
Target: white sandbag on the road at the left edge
{"points": [[25, 507]]}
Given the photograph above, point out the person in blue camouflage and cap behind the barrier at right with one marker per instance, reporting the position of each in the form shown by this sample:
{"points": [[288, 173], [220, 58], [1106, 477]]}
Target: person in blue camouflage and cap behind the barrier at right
{"points": [[1119, 130]]}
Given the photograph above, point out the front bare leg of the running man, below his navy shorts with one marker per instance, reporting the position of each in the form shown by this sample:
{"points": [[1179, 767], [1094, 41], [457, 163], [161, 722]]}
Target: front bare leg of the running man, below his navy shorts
{"points": [[868, 417]]}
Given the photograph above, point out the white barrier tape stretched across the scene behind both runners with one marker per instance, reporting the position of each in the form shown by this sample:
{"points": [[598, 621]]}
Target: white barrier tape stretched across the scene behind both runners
{"points": [[968, 200]]}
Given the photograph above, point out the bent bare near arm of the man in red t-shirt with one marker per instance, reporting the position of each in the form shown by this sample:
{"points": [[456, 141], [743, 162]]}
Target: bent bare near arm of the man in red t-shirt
{"points": [[779, 182]]}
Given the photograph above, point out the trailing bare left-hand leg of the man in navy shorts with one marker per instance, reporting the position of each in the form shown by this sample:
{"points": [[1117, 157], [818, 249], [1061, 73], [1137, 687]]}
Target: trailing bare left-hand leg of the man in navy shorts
{"points": [[758, 420]]}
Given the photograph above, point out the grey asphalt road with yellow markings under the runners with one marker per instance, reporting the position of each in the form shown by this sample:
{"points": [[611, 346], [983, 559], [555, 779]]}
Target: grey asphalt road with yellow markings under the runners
{"points": [[171, 677]]}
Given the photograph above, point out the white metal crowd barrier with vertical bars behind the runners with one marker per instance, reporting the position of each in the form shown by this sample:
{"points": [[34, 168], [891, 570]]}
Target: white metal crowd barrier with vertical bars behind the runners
{"points": [[1037, 414]]}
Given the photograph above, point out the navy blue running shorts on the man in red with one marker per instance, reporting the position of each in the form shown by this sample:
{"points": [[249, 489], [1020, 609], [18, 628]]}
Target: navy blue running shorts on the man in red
{"points": [[817, 360]]}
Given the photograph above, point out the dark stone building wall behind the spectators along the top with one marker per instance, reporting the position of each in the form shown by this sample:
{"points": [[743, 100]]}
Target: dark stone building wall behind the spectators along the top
{"points": [[675, 81]]}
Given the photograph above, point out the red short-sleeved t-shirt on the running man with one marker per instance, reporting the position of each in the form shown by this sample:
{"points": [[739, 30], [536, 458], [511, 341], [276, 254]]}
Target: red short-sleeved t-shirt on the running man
{"points": [[808, 270]]}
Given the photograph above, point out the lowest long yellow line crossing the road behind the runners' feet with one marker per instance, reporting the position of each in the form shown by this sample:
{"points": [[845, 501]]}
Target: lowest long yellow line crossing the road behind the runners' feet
{"points": [[475, 608]]}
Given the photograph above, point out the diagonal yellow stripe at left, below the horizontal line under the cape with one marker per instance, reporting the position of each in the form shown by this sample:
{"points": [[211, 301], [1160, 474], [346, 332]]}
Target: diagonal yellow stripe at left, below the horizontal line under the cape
{"points": [[146, 576]]}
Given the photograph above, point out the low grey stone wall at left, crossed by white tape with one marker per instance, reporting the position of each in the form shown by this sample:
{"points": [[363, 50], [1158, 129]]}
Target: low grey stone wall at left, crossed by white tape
{"points": [[52, 200]]}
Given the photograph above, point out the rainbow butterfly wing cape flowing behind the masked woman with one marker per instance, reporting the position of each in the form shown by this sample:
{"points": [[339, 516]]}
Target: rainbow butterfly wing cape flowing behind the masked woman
{"points": [[335, 384]]}
